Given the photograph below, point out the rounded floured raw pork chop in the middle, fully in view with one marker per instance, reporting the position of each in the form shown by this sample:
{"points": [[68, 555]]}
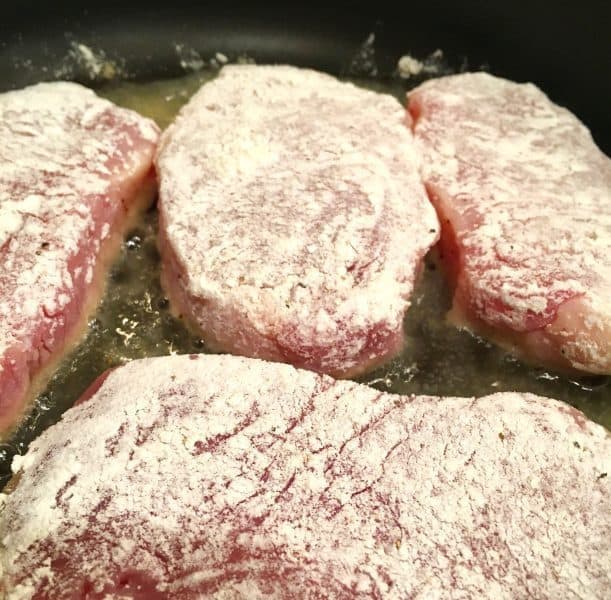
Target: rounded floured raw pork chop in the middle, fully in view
{"points": [[292, 218]]}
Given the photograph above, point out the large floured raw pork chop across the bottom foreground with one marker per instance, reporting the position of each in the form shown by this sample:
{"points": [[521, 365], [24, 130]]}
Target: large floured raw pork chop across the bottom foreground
{"points": [[236, 478]]}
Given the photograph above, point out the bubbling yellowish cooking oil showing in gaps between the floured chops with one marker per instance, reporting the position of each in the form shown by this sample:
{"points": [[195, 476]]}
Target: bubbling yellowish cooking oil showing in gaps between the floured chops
{"points": [[134, 320]]}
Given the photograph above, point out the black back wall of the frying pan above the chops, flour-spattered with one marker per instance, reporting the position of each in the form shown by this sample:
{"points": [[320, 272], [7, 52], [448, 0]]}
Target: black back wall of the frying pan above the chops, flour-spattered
{"points": [[562, 47]]}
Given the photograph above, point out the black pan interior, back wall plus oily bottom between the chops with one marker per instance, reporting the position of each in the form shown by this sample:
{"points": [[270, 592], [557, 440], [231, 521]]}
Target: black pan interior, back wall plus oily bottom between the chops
{"points": [[154, 56]]}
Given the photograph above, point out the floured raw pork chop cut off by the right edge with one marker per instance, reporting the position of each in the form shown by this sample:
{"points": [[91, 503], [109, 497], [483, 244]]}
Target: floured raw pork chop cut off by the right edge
{"points": [[524, 196]]}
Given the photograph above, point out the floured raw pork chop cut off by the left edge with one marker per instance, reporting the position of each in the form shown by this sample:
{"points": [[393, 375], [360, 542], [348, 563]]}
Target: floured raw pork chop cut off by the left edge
{"points": [[73, 167]]}
